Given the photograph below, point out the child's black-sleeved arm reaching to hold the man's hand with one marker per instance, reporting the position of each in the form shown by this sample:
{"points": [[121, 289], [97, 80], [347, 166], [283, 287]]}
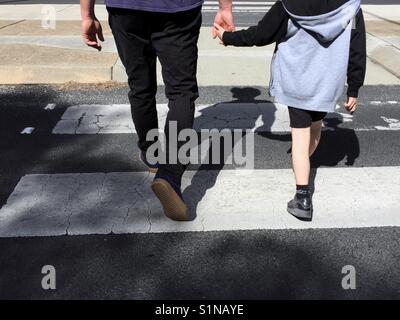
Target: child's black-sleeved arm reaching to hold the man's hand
{"points": [[269, 30]]}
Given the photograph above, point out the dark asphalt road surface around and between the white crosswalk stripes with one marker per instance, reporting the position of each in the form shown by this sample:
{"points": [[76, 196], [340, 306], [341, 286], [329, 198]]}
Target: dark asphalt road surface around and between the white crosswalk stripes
{"points": [[205, 265]]}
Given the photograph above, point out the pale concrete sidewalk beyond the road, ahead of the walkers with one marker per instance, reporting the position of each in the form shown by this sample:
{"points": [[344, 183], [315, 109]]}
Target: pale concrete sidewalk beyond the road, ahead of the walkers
{"points": [[31, 54]]}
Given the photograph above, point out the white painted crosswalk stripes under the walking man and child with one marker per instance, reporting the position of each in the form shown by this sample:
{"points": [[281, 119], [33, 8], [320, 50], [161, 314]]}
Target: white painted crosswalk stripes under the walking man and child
{"points": [[121, 202]]}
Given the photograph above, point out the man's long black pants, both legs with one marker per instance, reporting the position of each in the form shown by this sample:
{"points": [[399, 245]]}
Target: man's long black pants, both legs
{"points": [[141, 37]]}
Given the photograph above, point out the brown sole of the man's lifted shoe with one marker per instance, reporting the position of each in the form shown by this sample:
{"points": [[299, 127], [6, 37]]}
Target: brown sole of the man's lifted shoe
{"points": [[174, 207]]}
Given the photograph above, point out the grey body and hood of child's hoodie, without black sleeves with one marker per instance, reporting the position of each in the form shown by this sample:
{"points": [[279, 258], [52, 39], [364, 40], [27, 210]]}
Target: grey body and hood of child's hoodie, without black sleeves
{"points": [[310, 64]]}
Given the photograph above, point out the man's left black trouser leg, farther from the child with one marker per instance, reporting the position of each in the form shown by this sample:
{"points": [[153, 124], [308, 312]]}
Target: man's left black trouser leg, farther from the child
{"points": [[132, 33]]}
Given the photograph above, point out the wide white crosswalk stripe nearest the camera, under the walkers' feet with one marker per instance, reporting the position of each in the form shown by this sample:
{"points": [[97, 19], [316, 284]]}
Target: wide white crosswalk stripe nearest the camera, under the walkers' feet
{"points": [[98, 203]]}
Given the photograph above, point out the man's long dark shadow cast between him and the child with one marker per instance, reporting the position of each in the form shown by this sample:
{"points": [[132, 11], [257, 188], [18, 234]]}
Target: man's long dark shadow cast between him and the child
{"points": [[244, 112]]}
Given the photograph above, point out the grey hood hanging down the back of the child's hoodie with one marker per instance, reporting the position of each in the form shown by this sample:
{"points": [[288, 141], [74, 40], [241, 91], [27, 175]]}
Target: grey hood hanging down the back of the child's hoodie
{"points": [[326, 19]]}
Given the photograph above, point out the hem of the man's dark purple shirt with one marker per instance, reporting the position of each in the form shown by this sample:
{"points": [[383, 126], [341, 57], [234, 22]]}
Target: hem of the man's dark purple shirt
{"points": [[168, 6]]}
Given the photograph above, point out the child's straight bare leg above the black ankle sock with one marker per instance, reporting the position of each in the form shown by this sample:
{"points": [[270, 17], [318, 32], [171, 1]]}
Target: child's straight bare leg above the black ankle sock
{"points": [[301, 138]]}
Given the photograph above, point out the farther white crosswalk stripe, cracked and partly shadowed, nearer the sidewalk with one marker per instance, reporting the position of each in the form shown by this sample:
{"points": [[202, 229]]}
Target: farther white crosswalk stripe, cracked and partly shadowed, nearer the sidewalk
{"points": [[261, 117]]}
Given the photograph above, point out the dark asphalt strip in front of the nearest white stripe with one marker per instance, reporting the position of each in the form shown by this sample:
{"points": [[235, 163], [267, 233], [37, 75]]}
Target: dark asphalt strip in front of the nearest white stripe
{"points": [[214, 265]]}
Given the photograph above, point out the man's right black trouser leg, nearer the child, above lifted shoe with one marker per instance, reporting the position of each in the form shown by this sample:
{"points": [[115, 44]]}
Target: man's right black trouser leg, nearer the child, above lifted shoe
{"points": [[176, 47]]}
